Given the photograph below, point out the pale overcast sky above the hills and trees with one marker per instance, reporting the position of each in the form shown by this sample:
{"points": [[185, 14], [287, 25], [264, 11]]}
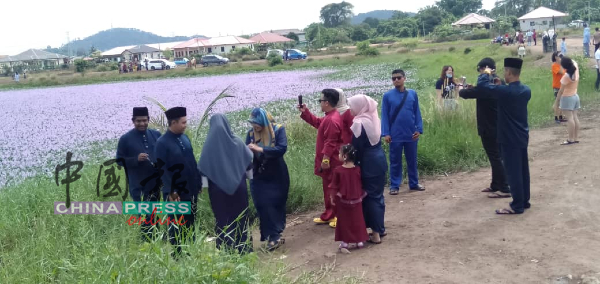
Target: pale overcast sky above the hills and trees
{"points": [[39, 23]]}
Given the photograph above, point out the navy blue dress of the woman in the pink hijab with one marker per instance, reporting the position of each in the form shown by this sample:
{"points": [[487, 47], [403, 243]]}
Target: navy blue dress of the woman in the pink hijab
{"points": [[373, 166]]}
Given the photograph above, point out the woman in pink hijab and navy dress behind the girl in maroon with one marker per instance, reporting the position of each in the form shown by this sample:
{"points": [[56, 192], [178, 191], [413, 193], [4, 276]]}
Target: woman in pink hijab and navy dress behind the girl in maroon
{"points": [[366, 128]]}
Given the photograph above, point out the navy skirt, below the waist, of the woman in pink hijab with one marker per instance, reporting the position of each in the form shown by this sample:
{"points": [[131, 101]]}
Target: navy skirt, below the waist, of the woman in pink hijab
{"points": [[373, 203]]}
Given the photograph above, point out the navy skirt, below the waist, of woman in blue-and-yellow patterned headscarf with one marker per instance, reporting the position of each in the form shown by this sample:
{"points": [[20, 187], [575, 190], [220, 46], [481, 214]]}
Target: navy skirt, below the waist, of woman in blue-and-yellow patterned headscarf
{"points": [[270, 198]]}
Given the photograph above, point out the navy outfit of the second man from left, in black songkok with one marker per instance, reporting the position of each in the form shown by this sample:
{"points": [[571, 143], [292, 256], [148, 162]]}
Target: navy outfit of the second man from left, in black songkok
{"points": [[179, 174]]}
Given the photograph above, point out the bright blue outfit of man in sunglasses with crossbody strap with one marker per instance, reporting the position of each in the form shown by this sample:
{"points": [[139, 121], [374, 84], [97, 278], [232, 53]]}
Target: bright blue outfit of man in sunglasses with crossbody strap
{"points": [[407, 122]]}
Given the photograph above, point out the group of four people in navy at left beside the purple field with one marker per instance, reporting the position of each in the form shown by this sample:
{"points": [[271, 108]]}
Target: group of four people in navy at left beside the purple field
{"points": [[154, 161]]}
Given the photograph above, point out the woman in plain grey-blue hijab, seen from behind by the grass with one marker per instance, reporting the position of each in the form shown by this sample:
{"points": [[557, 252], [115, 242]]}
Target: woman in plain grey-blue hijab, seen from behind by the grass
{"points": [[224, 161]]}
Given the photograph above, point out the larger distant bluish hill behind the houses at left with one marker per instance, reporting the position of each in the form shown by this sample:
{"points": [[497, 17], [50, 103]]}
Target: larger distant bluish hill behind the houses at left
{"points": [[112, 38]]}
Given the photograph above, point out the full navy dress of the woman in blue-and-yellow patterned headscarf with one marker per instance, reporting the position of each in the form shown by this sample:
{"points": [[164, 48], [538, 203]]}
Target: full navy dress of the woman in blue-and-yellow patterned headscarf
{"points": [[270, 186]]}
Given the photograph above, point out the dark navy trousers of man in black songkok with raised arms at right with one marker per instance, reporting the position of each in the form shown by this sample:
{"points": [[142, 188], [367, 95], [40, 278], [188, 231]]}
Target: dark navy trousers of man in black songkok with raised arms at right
{"points": [[516, 164]]}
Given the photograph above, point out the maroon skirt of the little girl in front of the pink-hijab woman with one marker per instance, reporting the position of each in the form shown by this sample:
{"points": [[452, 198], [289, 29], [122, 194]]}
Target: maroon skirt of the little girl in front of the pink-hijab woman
{"points": [[350, 226]]}
